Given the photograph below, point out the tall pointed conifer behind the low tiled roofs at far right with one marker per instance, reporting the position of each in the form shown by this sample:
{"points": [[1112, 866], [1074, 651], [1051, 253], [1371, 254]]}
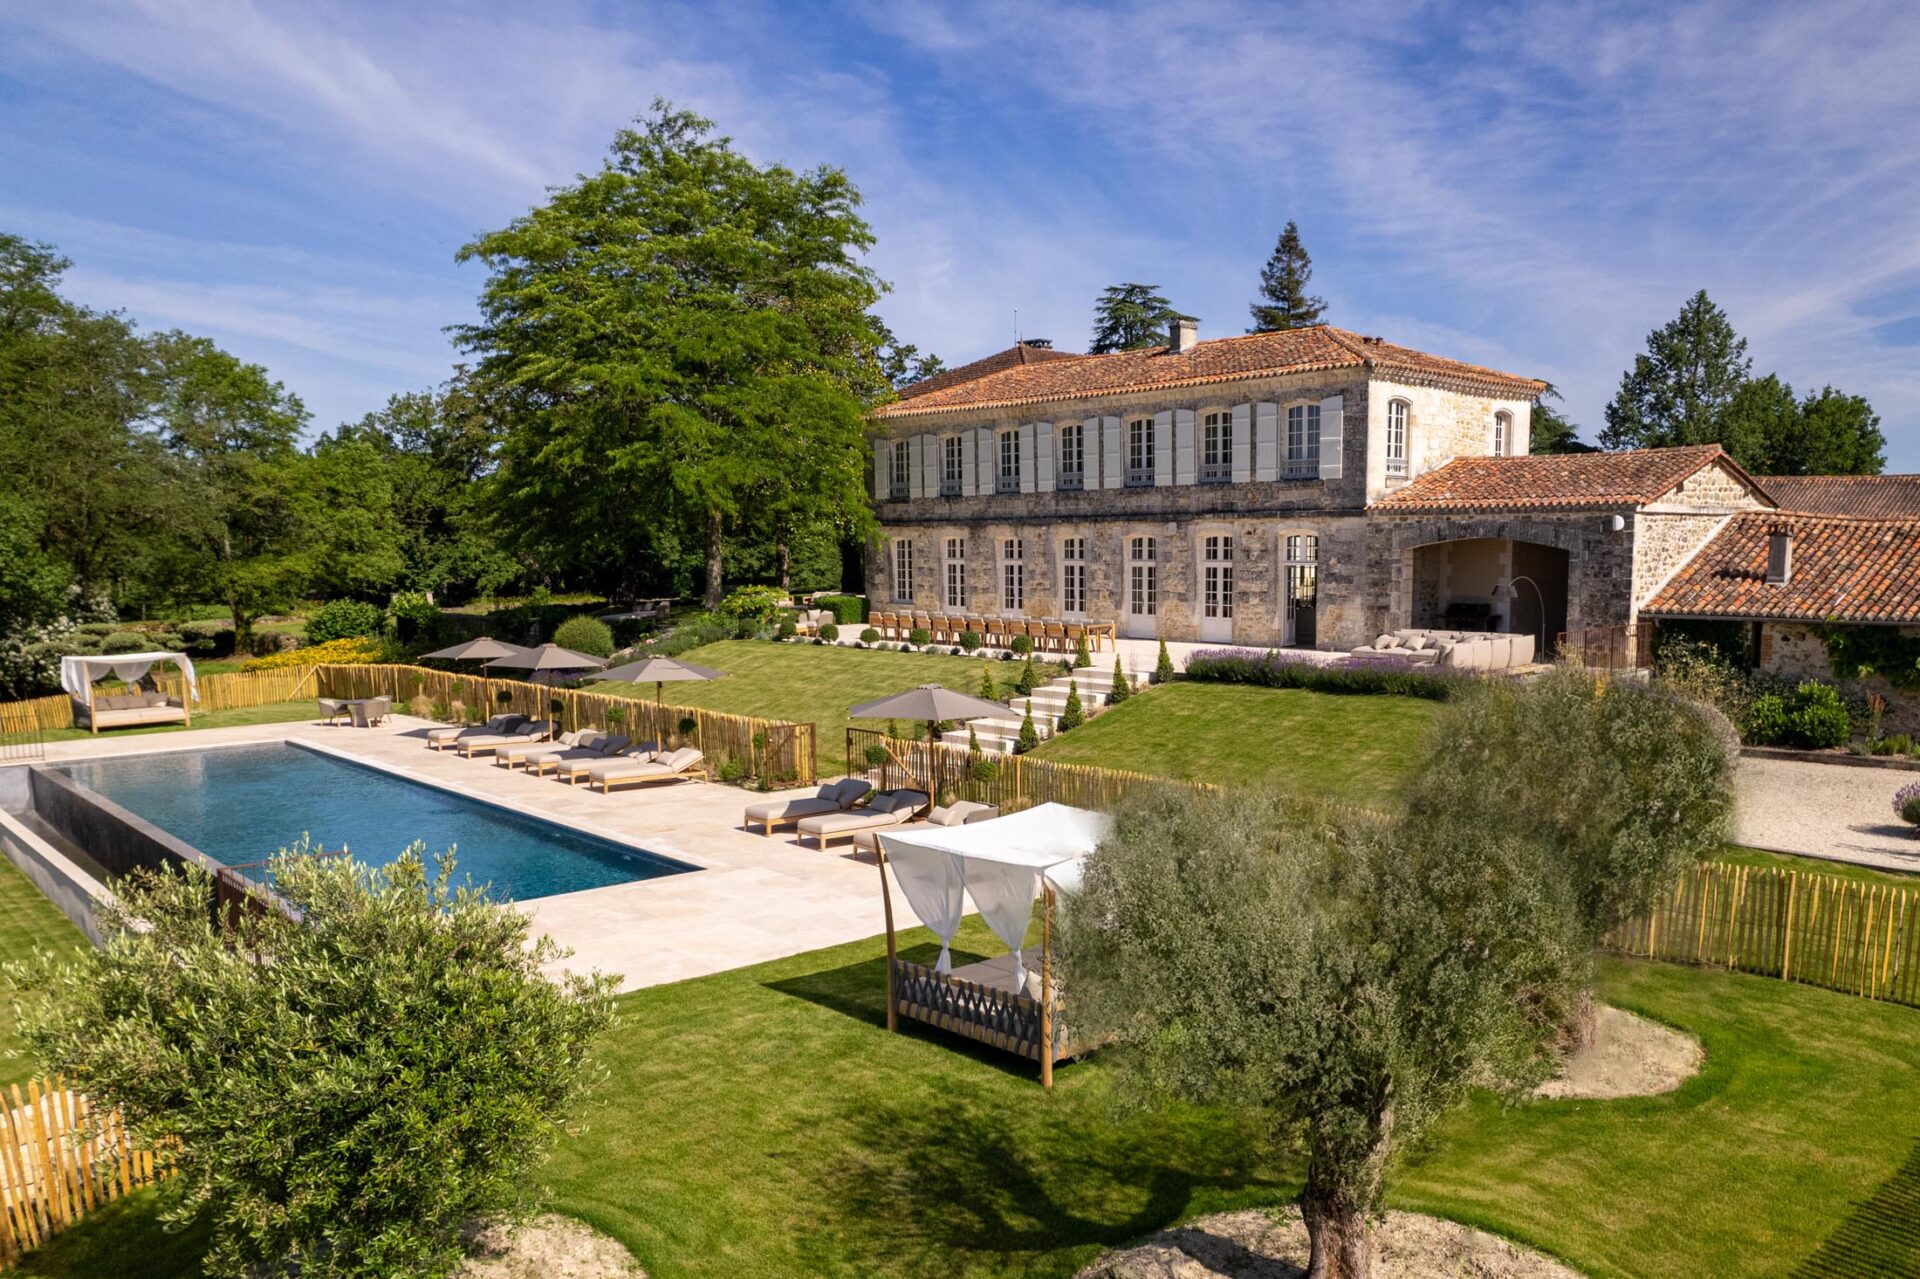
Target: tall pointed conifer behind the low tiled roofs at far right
{"points": [[1679, 391]]}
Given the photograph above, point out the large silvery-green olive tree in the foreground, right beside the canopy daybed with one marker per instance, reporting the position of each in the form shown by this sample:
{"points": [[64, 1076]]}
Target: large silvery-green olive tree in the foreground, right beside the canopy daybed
{"points": [[1345, 980]]}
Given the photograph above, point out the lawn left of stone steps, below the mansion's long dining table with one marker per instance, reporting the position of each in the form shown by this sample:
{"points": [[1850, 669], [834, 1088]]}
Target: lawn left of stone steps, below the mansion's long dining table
{"points": [[813, 683]]}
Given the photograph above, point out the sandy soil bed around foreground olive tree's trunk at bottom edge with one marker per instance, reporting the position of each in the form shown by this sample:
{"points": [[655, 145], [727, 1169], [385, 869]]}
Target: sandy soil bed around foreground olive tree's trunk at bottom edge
{"points": [[1262, 1245]]}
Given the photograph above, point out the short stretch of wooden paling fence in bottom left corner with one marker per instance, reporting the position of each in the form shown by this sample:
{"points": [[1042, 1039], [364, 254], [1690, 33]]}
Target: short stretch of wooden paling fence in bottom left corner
{"points": [[59, 1161]]}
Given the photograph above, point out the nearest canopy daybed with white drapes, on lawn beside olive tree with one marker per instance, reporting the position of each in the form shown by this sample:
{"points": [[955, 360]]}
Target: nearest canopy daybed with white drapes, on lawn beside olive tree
{"points": [[1003, 865]]}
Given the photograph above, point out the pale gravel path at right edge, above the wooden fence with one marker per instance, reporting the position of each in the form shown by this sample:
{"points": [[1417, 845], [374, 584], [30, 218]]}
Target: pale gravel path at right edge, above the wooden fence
{"points": [[1825, 811]]}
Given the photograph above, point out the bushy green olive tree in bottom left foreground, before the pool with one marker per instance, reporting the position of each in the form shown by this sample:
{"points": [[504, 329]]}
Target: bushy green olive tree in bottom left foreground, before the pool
{"points": [[341, 1088]]}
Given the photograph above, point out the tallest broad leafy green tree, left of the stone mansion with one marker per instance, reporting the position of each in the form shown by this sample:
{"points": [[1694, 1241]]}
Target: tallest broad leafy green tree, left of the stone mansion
{"points": [[673, 339]]}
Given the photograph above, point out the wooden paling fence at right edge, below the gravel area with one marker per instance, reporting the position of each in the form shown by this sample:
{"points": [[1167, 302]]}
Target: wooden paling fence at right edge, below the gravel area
{"points": [[1792, 925]]}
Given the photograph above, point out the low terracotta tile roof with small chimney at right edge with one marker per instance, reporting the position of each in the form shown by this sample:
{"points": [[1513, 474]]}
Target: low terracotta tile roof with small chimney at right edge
{"points": [[1844, 567]]}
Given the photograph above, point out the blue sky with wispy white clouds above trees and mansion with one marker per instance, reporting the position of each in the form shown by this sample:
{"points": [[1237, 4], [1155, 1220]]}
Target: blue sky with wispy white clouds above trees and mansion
{"points": [[1522, 185]]}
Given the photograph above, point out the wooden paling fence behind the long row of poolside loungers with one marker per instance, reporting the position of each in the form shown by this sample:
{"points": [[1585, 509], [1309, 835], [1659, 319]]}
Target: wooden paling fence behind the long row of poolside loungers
{"points": [[775, 752]]}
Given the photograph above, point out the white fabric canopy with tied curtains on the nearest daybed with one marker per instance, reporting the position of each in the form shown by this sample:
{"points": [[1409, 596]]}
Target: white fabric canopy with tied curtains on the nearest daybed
{"points": [[999, 865]]}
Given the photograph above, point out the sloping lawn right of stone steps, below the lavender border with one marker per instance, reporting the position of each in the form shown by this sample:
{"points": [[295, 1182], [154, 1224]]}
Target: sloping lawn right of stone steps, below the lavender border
{"points": [[1349, 748]]}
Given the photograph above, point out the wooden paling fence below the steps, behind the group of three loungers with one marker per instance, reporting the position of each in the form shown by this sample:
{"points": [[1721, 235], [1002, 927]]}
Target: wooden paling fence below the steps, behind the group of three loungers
{"points": [[1009, 783]]}
